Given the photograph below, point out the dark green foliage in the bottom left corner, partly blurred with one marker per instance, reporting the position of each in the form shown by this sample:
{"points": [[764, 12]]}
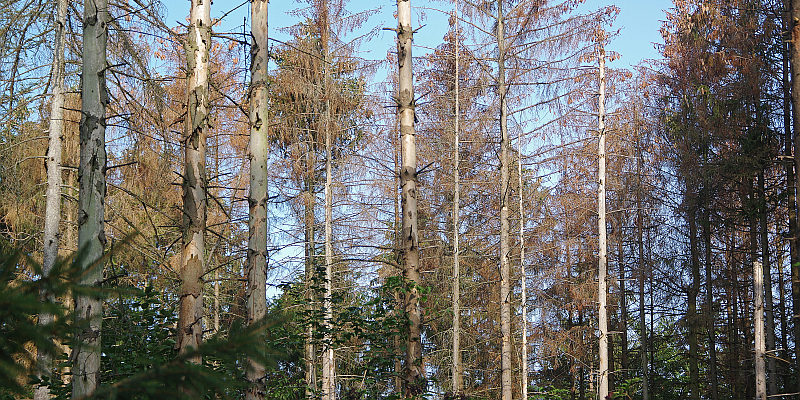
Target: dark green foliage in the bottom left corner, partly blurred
{"points": [[150, 371]]}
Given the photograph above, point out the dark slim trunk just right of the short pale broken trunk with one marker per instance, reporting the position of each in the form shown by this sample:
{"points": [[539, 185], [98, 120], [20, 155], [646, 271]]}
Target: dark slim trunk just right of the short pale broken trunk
{"points": [[769, 314]]}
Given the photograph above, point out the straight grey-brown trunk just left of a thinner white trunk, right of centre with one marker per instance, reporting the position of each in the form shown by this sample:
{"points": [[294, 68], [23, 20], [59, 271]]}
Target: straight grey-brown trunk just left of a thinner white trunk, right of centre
{"points": [[505, 268]]}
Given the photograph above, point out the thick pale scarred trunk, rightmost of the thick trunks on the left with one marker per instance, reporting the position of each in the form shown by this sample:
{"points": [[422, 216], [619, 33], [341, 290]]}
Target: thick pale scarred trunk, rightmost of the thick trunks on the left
{"points": [[259, 195]]}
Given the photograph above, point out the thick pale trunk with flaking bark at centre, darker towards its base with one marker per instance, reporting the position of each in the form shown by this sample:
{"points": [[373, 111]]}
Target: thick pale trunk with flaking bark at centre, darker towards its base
{"points": [[413, 370]]}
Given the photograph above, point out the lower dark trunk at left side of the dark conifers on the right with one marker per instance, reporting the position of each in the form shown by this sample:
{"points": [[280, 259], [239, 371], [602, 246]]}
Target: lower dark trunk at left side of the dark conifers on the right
{"points": [[692, 319]]}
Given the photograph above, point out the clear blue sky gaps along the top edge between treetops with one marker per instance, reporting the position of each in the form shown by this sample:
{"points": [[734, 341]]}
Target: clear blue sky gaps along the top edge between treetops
{"points": [[639, 21]]}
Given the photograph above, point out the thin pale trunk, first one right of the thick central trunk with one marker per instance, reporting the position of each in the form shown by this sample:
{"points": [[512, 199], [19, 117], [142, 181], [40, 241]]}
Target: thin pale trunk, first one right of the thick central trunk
{"points": [[457, 370]]}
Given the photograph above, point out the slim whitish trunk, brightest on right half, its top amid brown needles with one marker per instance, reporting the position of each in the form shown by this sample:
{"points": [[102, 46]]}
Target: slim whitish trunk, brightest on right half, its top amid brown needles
{"points": [[602, 290]]}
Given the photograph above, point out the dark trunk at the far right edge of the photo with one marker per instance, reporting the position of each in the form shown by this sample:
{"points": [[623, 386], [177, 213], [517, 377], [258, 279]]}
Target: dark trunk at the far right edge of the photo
{"points": [[794, 25]]}
